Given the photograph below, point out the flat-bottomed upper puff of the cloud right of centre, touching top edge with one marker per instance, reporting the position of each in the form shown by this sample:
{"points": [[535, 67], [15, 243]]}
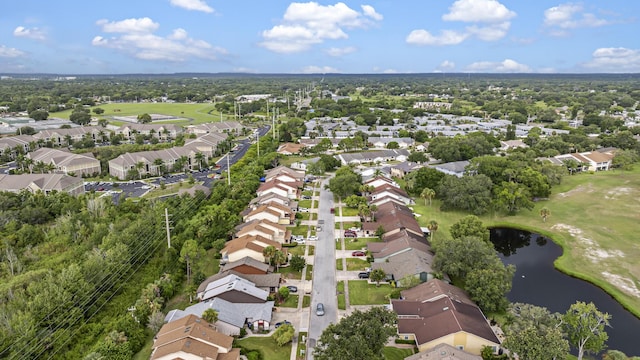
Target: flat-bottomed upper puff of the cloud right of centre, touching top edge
{"points": [[488, 11]]}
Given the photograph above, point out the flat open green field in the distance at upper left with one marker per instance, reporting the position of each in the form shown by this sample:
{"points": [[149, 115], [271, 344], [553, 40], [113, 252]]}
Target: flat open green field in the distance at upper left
{"points": [[186, 114]]}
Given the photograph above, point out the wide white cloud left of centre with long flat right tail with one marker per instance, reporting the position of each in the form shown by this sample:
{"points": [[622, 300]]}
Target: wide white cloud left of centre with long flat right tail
{"points": [[139, 41]]}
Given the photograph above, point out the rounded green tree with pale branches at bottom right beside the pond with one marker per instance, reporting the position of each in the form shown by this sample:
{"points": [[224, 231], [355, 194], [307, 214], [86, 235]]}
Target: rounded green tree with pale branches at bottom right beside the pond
{"points": [[584, 326]]}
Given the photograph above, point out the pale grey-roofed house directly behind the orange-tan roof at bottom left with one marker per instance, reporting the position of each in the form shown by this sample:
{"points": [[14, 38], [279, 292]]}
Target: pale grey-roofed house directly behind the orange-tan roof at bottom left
{"points": [[231, 316]]}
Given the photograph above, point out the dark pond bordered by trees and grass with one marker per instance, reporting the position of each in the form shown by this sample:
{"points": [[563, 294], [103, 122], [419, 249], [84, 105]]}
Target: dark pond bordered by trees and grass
{"points": [[537, 282]]}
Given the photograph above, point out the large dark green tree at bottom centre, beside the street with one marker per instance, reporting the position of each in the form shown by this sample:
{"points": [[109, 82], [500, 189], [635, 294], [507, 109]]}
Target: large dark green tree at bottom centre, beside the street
{"points": [[361, 335]]}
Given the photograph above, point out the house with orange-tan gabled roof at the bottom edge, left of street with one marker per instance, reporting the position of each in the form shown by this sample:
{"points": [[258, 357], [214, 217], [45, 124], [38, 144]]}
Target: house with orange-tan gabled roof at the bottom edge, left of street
{"points": [[192, 338]]}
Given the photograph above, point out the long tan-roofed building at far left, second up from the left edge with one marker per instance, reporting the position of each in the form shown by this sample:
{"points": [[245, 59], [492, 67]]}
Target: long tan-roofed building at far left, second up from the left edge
{"points": [[66, 162]]}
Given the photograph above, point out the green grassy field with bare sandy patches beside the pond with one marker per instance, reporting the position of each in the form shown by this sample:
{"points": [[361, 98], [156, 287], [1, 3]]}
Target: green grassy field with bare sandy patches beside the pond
{"points": [[594, 217]]}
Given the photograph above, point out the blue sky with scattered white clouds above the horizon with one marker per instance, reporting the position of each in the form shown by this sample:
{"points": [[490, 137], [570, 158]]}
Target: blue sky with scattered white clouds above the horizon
{"points": [[275, 36]]}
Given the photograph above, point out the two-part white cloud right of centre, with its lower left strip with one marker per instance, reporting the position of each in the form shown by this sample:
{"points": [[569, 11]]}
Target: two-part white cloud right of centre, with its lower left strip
{"points": [[491, 14]]}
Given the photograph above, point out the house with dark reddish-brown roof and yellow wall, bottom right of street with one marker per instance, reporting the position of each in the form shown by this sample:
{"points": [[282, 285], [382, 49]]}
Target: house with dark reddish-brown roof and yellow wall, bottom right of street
{"points": [[433, 313]]}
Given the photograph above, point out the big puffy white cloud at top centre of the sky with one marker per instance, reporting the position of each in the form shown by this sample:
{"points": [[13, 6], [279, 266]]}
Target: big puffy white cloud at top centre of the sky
{"points": [[307, 24]]}
